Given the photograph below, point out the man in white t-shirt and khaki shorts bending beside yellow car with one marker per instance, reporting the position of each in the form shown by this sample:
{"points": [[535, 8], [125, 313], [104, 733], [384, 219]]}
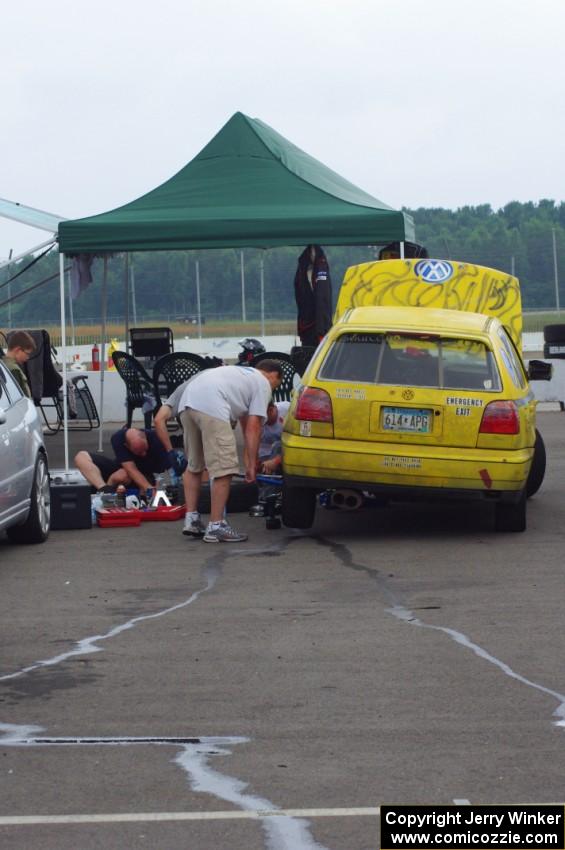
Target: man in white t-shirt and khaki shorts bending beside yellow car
{"points": [[210, 406]]}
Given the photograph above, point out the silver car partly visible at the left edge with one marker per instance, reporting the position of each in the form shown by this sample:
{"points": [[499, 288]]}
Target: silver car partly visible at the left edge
{"points": [[24, 476]]}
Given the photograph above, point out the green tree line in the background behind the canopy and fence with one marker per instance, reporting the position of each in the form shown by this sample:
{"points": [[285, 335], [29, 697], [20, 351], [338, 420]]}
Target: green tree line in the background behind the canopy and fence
{"points": [[517, 238]]}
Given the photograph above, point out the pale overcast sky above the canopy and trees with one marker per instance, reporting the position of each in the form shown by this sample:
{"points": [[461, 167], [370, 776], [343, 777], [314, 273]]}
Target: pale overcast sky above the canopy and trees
{"points": [[439, 103]]}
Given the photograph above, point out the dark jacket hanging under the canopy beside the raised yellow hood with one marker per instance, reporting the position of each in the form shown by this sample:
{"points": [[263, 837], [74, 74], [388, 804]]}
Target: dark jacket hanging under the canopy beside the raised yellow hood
{"points": [[313, 294]]}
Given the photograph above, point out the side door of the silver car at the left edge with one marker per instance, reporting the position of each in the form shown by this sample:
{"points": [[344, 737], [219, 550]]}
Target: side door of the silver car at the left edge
{"points": [[16, 450]]}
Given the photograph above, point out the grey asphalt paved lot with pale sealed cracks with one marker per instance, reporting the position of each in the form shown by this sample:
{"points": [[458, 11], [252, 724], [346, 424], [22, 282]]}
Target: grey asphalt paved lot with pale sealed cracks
{"points": [[160, 692]]}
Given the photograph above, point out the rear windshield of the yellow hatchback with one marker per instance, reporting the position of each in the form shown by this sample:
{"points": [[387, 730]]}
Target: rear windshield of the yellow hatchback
{"points": [[413, 360]]}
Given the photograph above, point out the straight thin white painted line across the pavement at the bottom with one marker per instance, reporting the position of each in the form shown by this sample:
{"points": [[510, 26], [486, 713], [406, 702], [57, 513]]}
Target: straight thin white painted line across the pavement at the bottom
{"points": [[135, 817]]}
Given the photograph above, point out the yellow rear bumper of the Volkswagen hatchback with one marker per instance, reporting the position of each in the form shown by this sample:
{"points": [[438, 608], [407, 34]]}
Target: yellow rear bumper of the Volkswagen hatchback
{"points": [[412, 472]]}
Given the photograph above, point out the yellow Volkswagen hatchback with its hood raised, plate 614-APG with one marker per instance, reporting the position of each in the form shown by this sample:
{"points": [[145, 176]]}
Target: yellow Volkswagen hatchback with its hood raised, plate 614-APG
{"points": [[411, 402]]}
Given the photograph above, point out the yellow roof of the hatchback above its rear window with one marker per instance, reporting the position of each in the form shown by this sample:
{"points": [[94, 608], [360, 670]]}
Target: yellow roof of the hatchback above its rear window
{"points": [[420, 318]]}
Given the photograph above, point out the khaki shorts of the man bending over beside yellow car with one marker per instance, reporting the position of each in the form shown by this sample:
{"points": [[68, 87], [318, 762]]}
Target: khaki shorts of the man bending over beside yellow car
{"points": [[209, 443]]}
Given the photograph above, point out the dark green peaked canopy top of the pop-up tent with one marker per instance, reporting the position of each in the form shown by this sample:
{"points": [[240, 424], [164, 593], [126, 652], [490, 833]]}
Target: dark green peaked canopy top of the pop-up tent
{"points": [[248, 187]]}
